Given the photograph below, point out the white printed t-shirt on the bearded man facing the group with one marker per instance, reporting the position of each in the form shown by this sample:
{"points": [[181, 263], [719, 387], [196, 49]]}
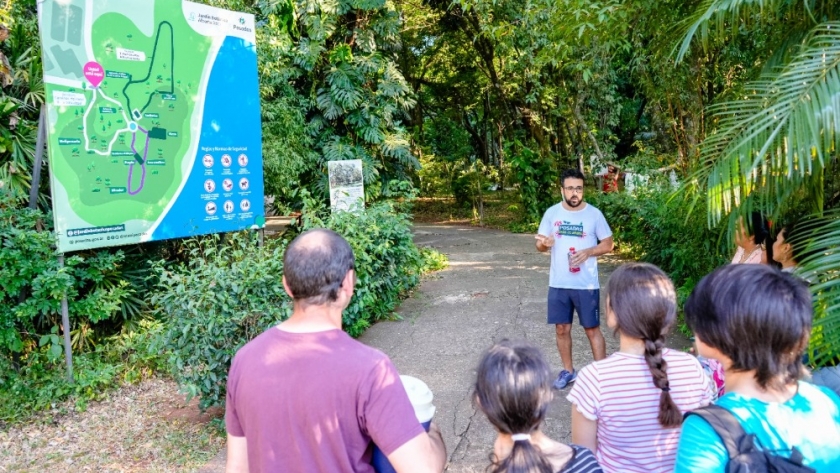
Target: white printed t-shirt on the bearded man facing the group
{"points": [[578, 229]]}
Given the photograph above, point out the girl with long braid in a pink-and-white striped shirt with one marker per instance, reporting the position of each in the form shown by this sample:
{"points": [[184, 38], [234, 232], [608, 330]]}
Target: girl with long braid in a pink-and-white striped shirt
{"points": [[628, 407]]}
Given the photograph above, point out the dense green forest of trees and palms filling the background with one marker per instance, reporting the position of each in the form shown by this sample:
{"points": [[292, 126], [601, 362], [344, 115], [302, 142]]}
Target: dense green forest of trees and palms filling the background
{"points": [[737, 102]]}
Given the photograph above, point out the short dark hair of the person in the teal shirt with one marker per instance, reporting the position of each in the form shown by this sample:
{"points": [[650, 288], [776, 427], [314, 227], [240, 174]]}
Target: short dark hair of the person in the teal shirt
{"points": [[757, 316]]}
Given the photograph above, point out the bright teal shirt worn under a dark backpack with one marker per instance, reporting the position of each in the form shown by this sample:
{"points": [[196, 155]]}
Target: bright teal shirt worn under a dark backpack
{"points": [[810, 421]]}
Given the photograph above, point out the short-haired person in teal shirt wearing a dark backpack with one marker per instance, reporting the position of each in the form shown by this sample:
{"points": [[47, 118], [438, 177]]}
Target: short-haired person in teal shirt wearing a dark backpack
{"points": [[756, 321]]}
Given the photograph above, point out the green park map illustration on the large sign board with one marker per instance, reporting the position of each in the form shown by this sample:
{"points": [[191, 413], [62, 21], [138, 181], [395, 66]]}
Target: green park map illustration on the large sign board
{"points": [[122, 152]]}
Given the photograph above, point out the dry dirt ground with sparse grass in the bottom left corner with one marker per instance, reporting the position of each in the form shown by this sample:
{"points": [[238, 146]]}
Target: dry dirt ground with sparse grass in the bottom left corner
{"points": [[143, 428]]}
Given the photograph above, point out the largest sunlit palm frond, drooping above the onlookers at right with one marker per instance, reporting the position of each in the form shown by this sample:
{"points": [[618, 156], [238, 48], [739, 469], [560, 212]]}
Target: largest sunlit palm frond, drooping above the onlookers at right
{"points": [[780, 134]]}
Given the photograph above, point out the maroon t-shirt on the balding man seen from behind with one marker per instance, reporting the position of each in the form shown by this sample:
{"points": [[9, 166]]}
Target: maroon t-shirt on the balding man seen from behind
{"points": [[315, 401]]}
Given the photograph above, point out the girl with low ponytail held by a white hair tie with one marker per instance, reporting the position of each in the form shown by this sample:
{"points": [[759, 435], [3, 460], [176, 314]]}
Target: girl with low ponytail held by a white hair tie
{"points": [[513, 389]]}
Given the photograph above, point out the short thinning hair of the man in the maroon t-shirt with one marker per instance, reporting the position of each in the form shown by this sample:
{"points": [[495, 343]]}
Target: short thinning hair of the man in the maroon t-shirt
{"points": [[315, 265]]}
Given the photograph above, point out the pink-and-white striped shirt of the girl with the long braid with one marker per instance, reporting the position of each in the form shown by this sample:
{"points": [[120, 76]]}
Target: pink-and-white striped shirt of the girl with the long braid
{"points": [[618, 392]]}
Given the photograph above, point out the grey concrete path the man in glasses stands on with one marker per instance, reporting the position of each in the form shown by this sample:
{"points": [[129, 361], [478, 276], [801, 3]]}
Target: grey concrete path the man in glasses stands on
{"points": [[495, 288]]}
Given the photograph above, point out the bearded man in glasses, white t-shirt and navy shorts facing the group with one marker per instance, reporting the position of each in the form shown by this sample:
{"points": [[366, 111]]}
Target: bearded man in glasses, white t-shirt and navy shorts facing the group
{"points": [[574, 224]]}
